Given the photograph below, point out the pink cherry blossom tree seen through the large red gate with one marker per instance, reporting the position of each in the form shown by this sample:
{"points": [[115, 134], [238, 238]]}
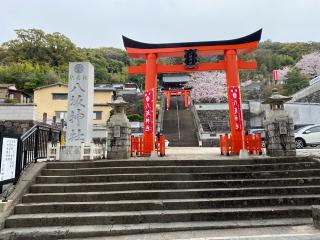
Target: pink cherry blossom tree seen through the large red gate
{"points": [[208, 87]]}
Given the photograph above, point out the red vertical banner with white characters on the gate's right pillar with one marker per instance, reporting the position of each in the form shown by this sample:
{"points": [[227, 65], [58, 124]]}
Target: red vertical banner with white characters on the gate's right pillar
{"points": [[234, 97]]}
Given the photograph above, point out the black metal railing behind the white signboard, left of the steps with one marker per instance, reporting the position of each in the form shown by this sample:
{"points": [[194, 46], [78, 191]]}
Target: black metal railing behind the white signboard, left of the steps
{"points": [[32, 146]]}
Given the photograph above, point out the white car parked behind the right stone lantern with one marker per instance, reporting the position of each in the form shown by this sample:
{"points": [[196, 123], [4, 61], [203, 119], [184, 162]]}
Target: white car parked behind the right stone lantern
{"points": [[307, 136]]}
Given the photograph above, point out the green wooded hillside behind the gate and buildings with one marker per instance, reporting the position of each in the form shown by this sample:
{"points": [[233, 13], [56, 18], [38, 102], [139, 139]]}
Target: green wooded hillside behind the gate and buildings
{"points": [[35, 58]]}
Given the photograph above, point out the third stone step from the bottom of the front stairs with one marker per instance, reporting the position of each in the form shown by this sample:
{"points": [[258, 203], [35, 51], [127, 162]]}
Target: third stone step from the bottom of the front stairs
{"points": [[167, 204]]}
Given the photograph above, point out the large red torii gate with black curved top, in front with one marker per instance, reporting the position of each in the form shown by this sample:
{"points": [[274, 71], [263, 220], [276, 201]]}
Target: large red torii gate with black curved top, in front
{"points": [[231, 65]]}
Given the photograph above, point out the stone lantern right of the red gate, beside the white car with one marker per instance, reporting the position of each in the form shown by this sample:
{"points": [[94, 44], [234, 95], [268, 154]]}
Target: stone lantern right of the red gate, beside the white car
{"points": [[279, 127]]}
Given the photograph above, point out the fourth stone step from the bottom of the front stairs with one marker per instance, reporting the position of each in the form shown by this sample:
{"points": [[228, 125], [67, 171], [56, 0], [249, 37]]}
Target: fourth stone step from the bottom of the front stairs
{"points": [[169, 194]]}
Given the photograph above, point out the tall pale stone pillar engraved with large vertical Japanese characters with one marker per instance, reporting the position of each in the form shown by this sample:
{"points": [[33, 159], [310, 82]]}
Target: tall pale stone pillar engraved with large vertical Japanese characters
{"points": [[80, 109]]}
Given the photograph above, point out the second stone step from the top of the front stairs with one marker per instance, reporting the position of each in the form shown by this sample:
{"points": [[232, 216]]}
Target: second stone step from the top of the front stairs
{"points": [[179, 169]]}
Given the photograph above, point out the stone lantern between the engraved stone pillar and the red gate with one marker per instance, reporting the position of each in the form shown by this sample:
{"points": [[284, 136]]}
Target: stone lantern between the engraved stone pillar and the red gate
{"points": [[119, 131]]}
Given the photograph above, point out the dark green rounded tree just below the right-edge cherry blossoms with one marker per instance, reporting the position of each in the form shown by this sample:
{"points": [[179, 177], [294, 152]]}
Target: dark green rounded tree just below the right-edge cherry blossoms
{"points": [[294, 82]]}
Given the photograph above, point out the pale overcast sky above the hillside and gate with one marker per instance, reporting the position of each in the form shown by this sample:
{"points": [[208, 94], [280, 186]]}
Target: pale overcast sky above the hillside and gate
{"points": [[97, 23]]}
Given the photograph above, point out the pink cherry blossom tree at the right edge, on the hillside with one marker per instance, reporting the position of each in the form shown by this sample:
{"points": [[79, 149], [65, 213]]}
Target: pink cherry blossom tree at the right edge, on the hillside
{"points": [[310, 64]]}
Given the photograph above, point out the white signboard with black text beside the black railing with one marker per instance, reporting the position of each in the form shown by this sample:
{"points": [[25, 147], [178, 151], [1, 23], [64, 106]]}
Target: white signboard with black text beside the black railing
{"points": [[9, 150]]}
